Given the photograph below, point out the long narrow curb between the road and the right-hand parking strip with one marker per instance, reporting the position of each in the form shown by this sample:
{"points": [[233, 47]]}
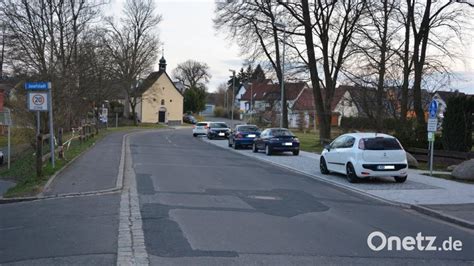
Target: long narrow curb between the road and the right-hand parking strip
{"points": [[418, 208]]}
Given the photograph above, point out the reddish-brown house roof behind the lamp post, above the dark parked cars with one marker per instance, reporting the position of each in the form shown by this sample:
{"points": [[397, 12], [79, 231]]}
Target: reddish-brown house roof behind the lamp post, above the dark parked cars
{"points": [[265, 91]]}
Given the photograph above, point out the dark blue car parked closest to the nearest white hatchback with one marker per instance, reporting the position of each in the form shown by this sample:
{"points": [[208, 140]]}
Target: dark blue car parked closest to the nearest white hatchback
{"points": [[276, 140]]}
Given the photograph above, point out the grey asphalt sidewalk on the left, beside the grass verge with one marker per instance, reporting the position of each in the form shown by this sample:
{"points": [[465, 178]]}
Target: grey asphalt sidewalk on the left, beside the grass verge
{"points": [[97, 169]]}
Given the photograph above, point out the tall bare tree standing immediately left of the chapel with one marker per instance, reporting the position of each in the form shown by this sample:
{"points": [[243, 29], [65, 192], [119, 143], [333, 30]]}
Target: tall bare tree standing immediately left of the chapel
{"points": [[133, 46]]}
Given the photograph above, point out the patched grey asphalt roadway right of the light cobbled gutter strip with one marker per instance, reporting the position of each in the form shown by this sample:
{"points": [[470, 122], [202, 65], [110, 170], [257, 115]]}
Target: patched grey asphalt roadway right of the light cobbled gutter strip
{"points": [[202, 204]]}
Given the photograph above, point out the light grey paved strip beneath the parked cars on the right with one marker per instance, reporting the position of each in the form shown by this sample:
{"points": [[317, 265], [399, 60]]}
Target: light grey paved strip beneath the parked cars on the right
{"points": [[446, 199]]}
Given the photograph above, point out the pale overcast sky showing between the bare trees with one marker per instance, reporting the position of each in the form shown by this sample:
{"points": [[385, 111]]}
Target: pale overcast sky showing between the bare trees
{"points": [[187, 33]]}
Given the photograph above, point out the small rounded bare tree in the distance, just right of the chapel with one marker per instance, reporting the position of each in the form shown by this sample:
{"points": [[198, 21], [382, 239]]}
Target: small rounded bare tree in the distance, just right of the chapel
{"points": [[192, 74]]}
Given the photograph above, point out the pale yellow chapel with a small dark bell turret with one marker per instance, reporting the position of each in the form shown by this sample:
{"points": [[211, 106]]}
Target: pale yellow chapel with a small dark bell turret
{"points": [[160, 101]]}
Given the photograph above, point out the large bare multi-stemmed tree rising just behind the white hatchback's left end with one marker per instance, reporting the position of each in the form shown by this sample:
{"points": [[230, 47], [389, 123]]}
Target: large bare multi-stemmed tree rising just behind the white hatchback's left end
{"points": [[333, 24]]}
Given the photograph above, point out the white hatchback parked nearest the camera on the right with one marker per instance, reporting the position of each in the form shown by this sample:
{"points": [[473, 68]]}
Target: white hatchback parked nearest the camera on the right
{"points": [[363, 155]]}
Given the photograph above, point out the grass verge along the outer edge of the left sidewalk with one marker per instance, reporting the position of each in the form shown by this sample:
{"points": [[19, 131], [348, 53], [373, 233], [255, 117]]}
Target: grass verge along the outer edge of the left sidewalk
{"points": [[23, 169]]}
